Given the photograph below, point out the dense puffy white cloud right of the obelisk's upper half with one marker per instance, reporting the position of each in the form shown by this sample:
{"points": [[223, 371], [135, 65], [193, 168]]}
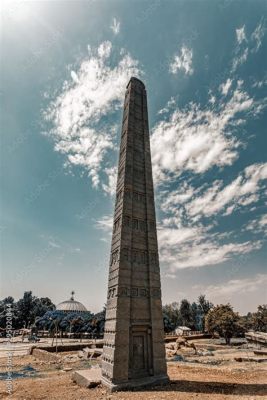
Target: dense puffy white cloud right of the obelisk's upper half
{"points": [[196, 139]]}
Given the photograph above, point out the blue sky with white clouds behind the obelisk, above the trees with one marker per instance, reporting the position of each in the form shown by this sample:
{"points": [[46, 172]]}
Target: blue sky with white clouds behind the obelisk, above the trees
{"points": [[63, 77]]}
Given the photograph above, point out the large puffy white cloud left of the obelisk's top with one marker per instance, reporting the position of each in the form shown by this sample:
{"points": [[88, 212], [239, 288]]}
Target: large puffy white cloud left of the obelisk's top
{"points": [[78, 113]]}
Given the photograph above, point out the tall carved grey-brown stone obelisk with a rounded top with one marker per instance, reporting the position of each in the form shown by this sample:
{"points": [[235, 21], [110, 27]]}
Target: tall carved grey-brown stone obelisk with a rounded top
{"points": [[134, 352]]}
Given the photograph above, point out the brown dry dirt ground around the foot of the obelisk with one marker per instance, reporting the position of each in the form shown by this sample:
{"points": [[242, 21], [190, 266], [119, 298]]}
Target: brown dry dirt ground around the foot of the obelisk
{"points": [[215, 376]]}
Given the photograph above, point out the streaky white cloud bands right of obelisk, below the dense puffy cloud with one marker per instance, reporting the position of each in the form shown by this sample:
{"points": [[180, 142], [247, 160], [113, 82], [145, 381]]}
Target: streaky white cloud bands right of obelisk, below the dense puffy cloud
{"points": [[184, 240]]}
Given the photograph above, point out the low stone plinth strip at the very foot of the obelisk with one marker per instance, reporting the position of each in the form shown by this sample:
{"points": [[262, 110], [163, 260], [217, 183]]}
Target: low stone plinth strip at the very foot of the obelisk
{"points": [[135, 383]]}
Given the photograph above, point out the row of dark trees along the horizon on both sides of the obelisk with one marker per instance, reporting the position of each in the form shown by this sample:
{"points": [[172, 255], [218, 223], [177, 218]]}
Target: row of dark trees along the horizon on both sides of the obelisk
{"points": [[200, 315]]}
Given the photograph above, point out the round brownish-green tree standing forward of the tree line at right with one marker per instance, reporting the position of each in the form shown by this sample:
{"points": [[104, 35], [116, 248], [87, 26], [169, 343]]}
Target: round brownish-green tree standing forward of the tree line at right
{"points": [[224, 321]]}
